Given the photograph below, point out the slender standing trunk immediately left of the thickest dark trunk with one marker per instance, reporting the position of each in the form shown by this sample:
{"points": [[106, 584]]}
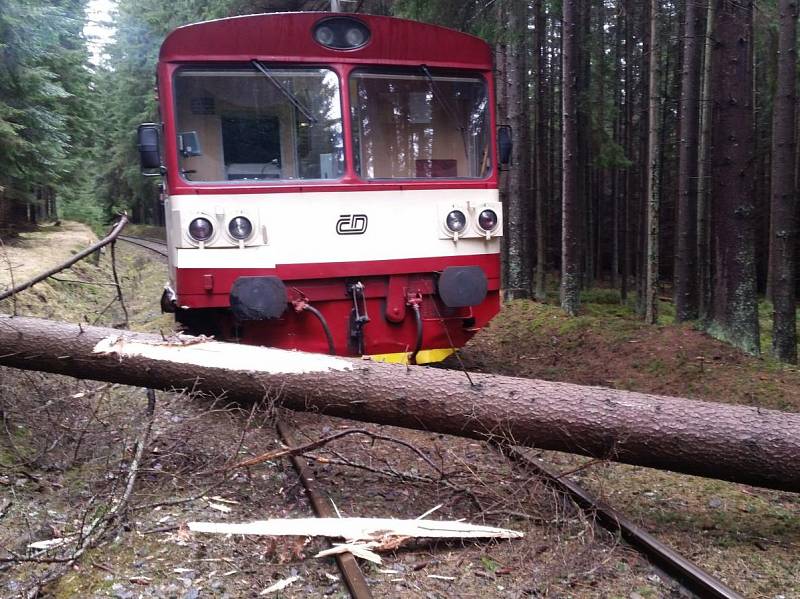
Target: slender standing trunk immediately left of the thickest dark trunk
{"points": [[703, 180]]}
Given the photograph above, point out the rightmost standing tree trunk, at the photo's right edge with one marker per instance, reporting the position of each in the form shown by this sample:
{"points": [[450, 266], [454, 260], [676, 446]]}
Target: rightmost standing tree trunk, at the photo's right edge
{"points": [[784, 208]]}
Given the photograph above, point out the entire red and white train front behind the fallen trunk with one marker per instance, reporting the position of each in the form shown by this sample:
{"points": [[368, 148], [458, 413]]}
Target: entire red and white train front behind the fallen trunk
{"points": [[330, 183]]}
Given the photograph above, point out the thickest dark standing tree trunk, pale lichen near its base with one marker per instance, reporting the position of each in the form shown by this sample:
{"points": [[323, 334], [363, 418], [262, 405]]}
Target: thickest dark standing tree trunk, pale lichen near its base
{"points": [[734, 307]]}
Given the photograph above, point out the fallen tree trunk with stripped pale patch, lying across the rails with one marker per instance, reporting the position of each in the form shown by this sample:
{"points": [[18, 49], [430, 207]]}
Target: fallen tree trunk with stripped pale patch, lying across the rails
{"points": [[736, 443]]}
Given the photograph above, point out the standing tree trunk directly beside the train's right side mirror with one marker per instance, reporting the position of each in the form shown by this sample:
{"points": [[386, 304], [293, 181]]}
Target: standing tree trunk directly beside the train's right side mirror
{"points": [[518, 281]]}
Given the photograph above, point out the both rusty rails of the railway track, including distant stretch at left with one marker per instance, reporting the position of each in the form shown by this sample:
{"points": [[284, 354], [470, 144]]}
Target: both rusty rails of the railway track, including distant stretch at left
{"points": [[692, 578]]}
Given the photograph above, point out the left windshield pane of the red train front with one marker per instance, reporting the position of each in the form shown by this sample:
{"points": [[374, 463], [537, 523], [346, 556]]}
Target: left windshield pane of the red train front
{"points": [[258, 123]]}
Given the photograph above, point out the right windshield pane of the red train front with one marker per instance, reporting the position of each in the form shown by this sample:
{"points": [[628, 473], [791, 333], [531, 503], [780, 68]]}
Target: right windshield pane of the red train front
{"points": [[418, 124]]}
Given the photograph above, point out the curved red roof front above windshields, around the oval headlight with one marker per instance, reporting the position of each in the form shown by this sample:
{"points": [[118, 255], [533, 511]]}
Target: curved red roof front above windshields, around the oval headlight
{"points": [[288, 37]]}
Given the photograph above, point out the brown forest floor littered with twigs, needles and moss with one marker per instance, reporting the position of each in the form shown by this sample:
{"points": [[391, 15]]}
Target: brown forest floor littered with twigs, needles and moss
{"points": [[66, 445]]}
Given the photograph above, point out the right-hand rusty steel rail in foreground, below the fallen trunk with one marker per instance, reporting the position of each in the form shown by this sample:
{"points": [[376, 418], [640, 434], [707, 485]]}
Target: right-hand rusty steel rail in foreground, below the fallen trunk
{"points": [[687, 573]]}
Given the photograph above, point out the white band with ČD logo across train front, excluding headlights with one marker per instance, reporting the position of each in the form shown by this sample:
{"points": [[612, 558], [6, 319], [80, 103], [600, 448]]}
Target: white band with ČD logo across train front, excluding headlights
{"points": [[325, 227]]}
